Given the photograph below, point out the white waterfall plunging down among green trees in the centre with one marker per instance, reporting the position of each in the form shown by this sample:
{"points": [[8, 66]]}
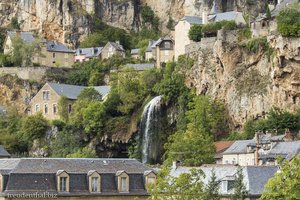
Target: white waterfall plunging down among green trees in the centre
{"points": [[149, 129]]}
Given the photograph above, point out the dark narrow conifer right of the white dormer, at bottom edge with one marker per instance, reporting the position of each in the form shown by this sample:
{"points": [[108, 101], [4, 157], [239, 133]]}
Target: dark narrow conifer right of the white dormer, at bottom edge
{"points": [[239, 188]]}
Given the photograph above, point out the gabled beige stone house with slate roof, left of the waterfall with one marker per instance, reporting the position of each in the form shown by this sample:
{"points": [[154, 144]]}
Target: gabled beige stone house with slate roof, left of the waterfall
{"points": [[47, 99]]}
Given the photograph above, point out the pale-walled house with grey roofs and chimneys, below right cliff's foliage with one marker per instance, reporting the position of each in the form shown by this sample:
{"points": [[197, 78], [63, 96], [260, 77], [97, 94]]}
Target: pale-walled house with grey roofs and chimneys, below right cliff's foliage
{"points": [[262, 150]]}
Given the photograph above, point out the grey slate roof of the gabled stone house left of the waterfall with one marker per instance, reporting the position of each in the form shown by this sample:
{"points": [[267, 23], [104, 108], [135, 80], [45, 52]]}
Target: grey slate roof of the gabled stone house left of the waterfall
{"points": [[72, 91]]}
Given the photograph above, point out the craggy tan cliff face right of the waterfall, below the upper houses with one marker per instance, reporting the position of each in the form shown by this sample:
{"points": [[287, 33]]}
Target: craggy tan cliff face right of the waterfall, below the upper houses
{"points": [[249, 84]]}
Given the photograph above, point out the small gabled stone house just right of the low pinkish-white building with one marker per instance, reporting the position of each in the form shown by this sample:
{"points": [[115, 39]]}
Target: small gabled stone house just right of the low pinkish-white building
{"points": [[112, 48]]}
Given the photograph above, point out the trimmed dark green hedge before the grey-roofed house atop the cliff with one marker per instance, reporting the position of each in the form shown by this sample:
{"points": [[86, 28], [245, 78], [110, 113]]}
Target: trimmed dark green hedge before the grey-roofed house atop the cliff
{"points": [[212, 28]]}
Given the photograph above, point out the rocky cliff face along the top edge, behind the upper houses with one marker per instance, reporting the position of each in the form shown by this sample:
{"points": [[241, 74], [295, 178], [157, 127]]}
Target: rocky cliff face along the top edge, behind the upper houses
{"points": [[70, 20]]}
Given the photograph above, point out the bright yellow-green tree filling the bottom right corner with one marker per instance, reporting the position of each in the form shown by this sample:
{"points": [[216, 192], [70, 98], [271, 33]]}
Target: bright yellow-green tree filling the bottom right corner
{"points": [[286, 183]]}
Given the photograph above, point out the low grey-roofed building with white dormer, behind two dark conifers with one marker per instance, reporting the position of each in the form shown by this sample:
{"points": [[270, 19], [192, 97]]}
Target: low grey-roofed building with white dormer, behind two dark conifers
{"points": [[254, 177]]}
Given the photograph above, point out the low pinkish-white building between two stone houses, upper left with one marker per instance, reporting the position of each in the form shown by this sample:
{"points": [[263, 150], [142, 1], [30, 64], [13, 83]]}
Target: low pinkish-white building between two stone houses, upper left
{"points": [[85, 54]]}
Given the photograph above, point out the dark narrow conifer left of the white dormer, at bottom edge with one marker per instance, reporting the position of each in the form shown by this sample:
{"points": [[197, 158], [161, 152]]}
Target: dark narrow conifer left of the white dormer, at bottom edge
{"points": [[211, 190]]}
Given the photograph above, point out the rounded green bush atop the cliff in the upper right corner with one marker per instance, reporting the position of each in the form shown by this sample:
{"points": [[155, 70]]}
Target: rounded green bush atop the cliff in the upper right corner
{"points": [[288, 22]]}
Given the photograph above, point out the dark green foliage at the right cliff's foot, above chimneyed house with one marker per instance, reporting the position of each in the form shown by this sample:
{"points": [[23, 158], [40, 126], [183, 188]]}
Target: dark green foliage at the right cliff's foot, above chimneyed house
{"points": [[277, 121]]}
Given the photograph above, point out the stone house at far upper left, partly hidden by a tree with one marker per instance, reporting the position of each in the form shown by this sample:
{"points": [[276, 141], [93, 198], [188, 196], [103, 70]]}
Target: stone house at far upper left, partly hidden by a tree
{"points": [[27, 37]]}
